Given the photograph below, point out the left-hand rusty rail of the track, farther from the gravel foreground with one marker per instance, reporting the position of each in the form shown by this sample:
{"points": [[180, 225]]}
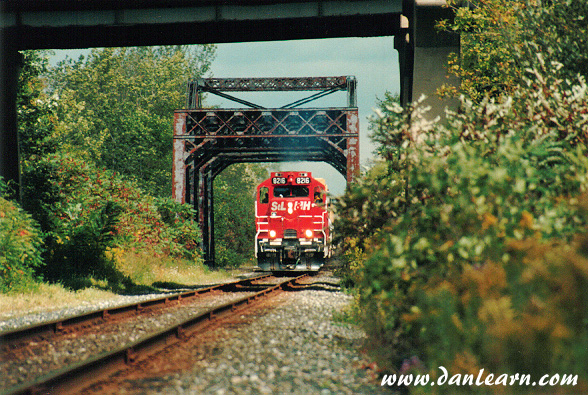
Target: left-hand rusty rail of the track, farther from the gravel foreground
{"points": [[12, 337]]}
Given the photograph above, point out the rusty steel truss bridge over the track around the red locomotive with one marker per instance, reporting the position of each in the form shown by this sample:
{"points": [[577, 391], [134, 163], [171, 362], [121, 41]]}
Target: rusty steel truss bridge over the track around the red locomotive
{"points": [[206, 141]]}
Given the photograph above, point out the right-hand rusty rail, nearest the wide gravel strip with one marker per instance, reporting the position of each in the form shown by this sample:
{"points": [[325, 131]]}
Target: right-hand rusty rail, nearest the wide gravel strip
{"points": [[73, 378]]}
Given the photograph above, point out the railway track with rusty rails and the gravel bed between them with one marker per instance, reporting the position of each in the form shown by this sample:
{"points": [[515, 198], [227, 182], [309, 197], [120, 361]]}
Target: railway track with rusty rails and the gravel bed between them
{"points": [[69, 351]]}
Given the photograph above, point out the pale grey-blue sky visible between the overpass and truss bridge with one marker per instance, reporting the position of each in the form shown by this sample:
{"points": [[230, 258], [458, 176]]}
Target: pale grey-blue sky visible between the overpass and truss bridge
{"points": [[373, 62]]}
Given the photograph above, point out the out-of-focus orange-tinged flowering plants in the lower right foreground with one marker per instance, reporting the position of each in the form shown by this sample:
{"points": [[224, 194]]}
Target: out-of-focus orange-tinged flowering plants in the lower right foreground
{"points": [[524, 317]]}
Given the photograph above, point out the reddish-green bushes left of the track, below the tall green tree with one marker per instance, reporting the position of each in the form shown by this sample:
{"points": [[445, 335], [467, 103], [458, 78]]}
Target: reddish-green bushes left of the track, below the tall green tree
{"points": [[88, 211]]}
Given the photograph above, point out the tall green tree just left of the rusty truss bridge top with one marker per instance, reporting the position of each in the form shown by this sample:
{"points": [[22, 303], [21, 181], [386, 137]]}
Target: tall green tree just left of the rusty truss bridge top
{"points": [[116, 107]]}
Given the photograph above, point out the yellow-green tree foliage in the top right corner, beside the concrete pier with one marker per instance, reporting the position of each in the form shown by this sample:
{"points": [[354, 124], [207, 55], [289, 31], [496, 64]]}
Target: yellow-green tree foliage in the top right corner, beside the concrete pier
{"points": [[499, 40]]}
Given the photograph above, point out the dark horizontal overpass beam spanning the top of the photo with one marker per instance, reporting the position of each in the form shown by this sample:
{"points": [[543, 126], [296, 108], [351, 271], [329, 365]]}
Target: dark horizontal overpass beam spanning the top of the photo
{"points": [[93, 23]]}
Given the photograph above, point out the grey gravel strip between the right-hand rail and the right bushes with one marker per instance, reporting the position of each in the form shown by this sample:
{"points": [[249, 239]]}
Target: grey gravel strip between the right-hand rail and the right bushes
{"points": [[294, 348]]}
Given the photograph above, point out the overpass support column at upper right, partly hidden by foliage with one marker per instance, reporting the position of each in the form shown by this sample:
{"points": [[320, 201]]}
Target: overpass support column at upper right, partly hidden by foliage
{"points": [[423, 52]]}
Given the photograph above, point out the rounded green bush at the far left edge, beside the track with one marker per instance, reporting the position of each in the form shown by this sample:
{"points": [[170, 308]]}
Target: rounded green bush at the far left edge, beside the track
{"points": [[20, 247]]}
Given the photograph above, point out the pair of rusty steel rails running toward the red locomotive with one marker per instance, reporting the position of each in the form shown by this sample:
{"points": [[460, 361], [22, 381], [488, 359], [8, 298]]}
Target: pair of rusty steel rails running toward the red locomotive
{"points": [[71, 378]]}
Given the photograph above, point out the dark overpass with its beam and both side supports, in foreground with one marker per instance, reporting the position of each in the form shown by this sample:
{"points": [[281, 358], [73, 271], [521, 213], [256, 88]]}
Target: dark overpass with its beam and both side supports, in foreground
{"points": [[67, 24]]}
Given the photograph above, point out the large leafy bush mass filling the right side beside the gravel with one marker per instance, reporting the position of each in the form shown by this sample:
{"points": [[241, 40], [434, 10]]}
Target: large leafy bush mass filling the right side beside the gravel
{"points": [[471, 266]]}
